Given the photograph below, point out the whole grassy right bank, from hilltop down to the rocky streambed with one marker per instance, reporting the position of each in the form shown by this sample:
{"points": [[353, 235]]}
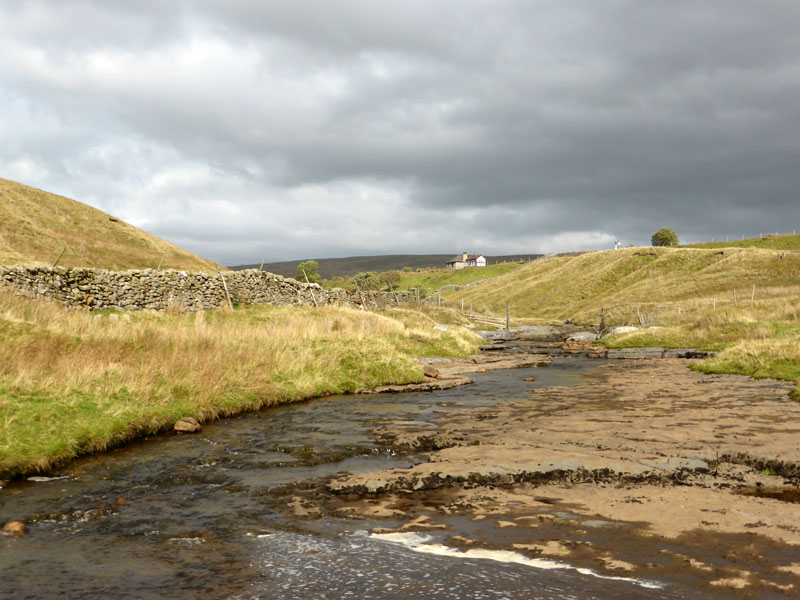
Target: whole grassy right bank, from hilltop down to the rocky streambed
{"points": [[689, 290]]}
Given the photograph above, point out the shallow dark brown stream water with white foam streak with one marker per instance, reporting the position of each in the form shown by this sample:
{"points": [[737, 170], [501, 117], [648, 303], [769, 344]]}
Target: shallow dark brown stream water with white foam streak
{"points": [[205, 515]]}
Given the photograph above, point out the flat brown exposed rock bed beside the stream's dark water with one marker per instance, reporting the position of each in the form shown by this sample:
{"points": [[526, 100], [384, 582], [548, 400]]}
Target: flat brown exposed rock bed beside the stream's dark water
{"points": [[647, 469]]}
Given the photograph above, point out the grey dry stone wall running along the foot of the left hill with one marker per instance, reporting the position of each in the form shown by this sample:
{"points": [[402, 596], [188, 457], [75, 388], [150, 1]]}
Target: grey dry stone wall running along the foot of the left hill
{"points": [[97, 289]]}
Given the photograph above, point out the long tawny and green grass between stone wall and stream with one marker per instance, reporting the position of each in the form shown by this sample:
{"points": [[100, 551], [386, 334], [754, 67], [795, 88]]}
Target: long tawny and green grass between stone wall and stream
{"points": [[73, 382]]}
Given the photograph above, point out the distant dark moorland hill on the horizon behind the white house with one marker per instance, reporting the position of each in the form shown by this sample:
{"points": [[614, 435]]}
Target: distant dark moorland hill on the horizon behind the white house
{"points": [[349, 266]]}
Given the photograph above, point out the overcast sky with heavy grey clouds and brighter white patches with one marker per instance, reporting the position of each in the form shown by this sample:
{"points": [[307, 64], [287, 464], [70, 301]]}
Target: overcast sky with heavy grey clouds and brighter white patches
{"points": [[248, 130]]}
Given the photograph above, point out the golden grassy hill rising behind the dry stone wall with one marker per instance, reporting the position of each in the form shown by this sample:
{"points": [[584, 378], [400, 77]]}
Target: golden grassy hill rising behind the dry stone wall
{"points": [[36, 225]]}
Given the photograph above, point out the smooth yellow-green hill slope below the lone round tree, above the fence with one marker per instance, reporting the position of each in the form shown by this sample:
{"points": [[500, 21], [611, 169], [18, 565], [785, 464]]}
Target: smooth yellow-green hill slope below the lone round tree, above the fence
{"points": [[626, 280]]}
